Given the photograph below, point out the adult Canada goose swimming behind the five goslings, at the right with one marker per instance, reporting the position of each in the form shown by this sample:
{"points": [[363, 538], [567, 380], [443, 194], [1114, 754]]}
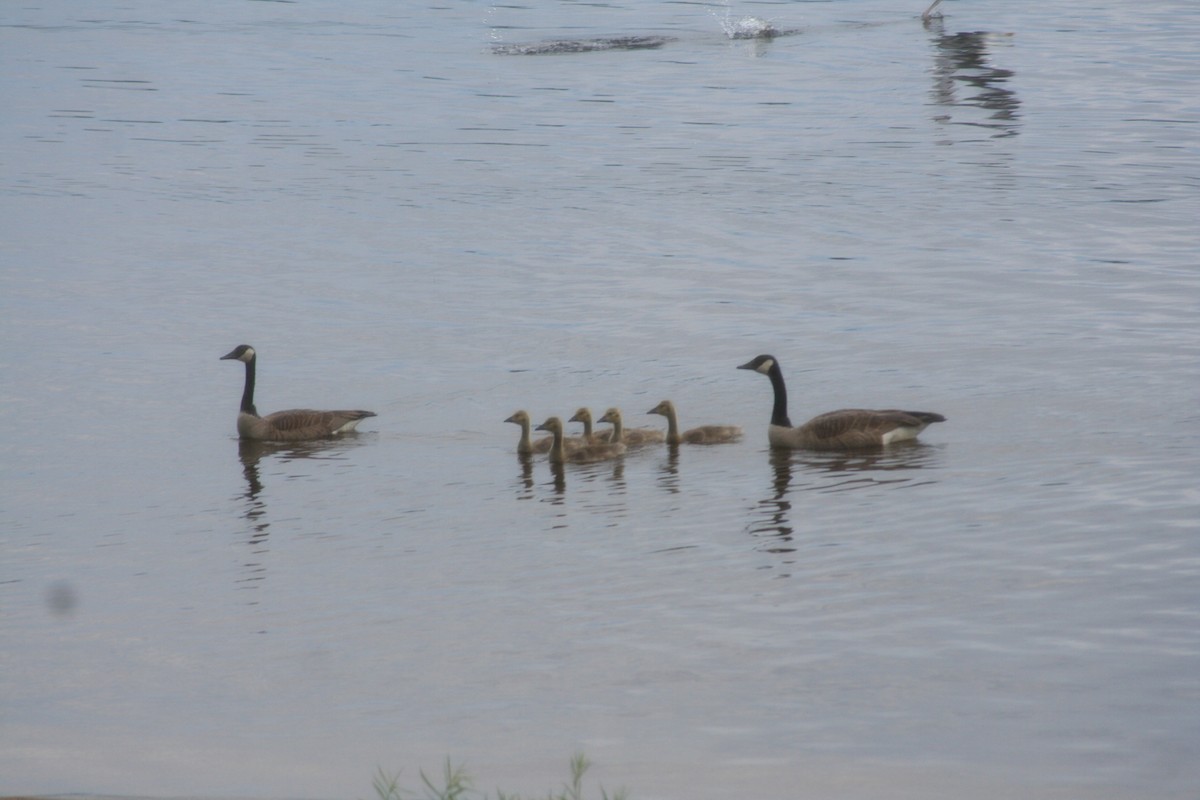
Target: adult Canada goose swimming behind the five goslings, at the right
{"points": [[844, 430]]}
